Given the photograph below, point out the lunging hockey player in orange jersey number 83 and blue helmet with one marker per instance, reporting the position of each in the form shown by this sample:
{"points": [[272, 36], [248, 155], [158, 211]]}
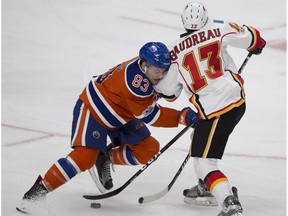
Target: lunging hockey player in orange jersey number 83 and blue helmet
{"points": [[116, 104]]}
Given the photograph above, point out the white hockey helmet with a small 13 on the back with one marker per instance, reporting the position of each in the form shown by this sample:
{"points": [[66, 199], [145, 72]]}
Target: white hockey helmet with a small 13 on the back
{"points": [[194, 16]]}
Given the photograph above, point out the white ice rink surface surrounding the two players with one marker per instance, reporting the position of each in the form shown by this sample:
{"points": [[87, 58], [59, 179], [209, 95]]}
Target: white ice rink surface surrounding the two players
{"points": [[51, 48]]}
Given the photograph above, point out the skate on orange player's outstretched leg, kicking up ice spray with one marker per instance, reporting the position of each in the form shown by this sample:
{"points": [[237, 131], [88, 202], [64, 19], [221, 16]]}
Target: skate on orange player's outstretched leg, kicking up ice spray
{"points": [[36, 194]]}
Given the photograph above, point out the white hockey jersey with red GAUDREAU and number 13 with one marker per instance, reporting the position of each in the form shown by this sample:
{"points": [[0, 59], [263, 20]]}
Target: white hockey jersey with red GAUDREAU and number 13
{"points": [[202, 67]]}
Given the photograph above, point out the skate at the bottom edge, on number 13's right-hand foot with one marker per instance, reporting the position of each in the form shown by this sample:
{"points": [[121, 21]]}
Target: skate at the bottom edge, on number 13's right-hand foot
{"points": [[231, 207]]}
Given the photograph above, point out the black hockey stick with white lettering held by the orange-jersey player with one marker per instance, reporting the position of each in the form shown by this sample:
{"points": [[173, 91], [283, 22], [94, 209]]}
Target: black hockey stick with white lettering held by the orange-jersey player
{"points": [[128, 182]]}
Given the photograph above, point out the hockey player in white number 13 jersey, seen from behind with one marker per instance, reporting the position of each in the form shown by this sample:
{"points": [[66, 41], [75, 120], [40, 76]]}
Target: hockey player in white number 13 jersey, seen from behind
{"points": [[202, 67]]}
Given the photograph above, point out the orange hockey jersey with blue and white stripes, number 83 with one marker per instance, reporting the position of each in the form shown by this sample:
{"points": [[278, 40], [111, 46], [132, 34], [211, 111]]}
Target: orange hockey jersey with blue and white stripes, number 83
{"points": [[123, 94]]}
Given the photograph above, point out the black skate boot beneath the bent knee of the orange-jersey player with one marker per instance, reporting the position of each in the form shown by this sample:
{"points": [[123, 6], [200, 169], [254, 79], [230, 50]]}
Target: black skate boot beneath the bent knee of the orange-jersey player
{"points": [[103, 165]]}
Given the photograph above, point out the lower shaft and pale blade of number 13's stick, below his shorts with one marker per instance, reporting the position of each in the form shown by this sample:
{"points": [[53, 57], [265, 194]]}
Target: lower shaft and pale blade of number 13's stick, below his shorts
{"points": [[159, 195]]}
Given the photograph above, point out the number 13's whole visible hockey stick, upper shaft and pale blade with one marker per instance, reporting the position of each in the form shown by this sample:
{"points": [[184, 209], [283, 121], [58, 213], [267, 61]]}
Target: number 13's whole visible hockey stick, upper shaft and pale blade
{"points": [[159, 195]]}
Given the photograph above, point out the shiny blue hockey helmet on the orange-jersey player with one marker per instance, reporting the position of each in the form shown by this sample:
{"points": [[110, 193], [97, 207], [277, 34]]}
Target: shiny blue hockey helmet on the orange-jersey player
{"points": [[156, 54]]}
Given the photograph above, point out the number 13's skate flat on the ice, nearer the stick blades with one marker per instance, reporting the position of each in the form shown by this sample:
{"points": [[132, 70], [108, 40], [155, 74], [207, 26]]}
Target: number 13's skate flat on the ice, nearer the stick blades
{"points": [[199, 195]]}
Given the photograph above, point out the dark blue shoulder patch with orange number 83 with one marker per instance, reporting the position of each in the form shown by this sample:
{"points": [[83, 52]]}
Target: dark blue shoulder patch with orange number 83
{"points": [[136, 81]]}
